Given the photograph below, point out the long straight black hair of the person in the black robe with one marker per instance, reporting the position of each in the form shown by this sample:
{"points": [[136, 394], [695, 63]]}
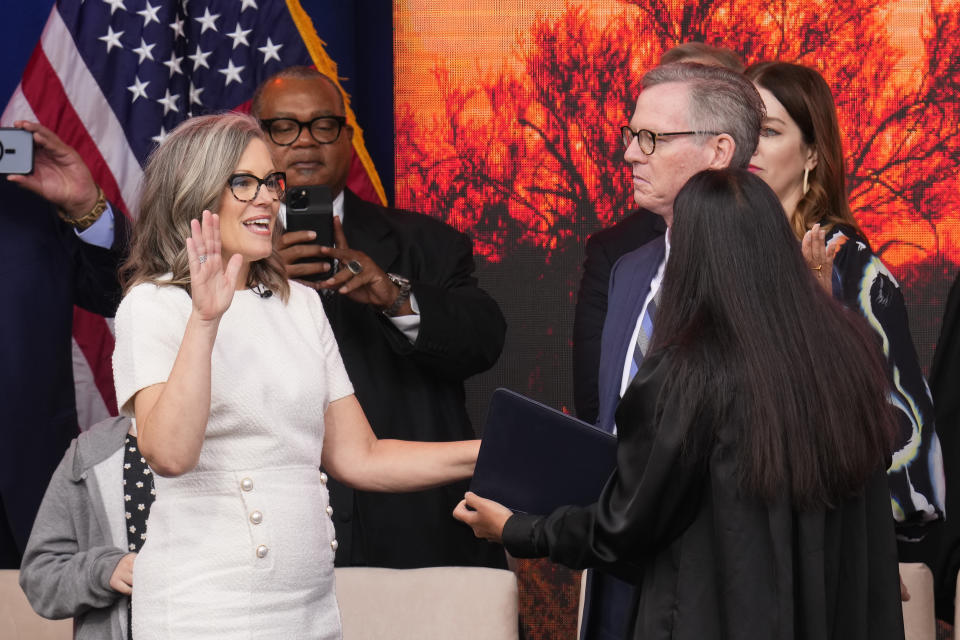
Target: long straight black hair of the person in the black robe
{"points": [[749, 327]]}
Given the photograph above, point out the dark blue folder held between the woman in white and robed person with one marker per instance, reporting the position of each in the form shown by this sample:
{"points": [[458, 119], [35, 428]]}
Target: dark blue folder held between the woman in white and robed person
{"points": [[534, 459]]}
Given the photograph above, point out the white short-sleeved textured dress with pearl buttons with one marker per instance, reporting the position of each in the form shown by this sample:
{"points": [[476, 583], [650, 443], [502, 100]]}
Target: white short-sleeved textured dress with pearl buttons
{"points": [[242, 546]]}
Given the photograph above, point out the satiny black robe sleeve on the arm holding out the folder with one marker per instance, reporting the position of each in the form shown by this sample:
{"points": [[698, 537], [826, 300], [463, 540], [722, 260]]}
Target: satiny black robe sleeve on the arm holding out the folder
{"points": [[648, 502]]}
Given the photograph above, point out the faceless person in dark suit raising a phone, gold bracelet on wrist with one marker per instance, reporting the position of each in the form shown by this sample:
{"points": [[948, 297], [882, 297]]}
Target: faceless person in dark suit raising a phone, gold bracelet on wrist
{"points": [[62, 246]]}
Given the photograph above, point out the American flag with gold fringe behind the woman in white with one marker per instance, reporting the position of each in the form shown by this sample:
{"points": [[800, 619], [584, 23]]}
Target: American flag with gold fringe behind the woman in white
{"points": [[113, 77]]}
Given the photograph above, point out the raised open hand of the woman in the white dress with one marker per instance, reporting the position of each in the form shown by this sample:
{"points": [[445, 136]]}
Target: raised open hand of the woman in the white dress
{"points": [[212, 286]]}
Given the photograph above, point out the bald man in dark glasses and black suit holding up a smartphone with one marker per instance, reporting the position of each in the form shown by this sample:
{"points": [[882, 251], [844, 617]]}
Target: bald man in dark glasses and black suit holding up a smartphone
{"points": [[410, 320]]}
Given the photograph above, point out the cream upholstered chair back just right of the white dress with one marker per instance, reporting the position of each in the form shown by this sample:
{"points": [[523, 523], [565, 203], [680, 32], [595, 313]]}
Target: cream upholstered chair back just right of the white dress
{"points": [[468, 603]]}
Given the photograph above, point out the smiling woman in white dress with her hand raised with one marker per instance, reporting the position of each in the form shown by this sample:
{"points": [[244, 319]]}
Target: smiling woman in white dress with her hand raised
{"points": [[239, 395]]}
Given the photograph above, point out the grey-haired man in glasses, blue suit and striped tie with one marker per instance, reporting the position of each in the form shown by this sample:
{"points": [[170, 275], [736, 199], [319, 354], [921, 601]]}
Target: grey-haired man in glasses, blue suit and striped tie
{"points": [[688, 118]]}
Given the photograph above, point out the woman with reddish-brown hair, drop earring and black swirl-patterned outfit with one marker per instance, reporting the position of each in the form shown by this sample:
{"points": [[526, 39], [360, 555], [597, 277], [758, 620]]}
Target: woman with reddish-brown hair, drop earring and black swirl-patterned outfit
{"points": [[801, 157]]}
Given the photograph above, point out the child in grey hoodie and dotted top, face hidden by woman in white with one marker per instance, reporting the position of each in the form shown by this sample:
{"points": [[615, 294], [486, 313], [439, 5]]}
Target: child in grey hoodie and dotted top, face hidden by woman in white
{"points": [[79, 559]]}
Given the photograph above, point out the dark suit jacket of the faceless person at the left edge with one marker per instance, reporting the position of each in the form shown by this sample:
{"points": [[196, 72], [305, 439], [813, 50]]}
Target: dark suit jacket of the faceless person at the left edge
{"points": [[47, 270]]}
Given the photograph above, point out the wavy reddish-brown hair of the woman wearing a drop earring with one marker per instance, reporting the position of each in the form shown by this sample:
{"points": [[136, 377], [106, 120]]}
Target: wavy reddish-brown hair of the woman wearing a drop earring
{"points": [[806, 97]]}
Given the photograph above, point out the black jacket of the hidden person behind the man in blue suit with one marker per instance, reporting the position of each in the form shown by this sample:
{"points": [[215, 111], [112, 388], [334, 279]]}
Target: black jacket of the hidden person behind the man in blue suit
{"points": [[603, 249]]}
